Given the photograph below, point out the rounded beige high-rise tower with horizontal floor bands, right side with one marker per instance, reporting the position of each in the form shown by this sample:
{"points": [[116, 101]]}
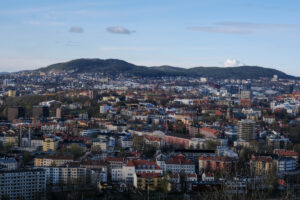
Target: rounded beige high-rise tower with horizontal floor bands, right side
{"points": [[246, 130]]}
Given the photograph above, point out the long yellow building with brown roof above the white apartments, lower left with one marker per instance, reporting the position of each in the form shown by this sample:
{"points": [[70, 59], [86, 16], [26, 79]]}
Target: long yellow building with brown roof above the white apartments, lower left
{"points": [[51, 161]]}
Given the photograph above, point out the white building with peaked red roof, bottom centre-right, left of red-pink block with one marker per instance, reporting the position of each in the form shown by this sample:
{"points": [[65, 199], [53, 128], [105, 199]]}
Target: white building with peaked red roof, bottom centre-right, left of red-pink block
{"points": [[179, 163]]}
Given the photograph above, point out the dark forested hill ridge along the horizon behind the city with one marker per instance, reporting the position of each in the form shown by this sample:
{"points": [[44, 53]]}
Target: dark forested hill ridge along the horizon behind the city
{"points": [[116, 67]]}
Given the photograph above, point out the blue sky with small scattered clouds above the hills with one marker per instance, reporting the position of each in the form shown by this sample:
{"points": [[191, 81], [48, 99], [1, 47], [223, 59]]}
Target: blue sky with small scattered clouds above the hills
{"points": [[183, 33]]}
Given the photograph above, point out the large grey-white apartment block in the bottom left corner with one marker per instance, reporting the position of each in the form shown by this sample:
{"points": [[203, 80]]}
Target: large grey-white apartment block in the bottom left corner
{"points": [[27, 184]]}
